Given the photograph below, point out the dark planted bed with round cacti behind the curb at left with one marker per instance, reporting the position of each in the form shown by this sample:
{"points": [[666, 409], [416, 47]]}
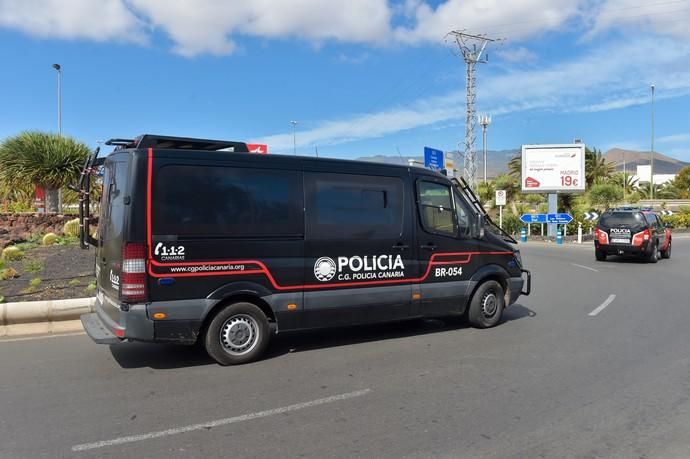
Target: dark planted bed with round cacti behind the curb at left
{"points": [[50, 273]]}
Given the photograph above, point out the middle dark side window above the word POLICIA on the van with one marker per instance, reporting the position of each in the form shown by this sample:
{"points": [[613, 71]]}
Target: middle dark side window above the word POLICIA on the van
{"points": [[345, 206]]}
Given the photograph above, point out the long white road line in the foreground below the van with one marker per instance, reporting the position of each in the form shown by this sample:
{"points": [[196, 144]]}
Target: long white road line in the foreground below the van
{"points": [[219, 422]]}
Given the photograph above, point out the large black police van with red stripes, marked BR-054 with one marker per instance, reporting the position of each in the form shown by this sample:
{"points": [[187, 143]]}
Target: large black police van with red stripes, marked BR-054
{"points": [[200, 240]]}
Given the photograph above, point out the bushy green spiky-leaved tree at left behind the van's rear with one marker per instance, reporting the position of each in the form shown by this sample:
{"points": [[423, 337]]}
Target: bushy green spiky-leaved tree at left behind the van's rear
{"points": [[41, 159]]}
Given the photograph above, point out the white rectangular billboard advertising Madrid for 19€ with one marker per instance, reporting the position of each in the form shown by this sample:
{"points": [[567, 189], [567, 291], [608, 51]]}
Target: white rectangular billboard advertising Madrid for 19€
{"points": [[553, 168]]}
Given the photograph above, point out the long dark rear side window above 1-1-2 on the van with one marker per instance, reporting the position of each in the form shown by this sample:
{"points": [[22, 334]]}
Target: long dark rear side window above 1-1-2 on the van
{"points": [[209, 201]]}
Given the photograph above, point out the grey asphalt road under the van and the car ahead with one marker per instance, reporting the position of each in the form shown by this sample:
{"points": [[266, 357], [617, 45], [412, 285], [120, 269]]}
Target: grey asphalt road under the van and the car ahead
{"points": [[561, 377]]}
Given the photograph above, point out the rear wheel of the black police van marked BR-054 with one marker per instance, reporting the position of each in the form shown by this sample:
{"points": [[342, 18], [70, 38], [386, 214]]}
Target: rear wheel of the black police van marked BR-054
{"points": [[238, 333]]}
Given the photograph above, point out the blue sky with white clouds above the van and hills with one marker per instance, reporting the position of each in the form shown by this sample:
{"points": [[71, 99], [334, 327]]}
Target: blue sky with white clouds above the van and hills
{"points": [[361, 77]]}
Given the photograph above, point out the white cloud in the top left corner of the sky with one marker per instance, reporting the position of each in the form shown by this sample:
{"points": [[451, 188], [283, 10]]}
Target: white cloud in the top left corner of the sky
{"points": [[97, 20]]}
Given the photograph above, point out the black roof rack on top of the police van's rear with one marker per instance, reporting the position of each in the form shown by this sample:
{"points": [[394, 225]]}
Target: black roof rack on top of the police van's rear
{"points": [[178, 143]]}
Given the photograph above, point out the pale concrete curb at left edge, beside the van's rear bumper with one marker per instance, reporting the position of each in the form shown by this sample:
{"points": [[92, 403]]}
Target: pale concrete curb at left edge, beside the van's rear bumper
{"points": [[41, 317]]}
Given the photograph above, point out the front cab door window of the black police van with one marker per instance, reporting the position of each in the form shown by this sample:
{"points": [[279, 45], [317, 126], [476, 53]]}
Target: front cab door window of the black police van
{"points": [[436, 208]]}
